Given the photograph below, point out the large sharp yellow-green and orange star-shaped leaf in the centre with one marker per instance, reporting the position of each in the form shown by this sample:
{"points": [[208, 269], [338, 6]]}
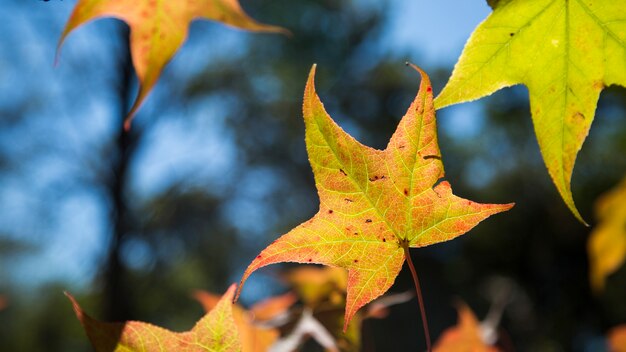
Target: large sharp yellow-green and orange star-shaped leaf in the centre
{"points": [[374, 204]]}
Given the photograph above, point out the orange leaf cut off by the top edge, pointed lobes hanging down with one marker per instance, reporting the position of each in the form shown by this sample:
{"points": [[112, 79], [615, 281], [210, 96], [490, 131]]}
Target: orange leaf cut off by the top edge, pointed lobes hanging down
{"points": [[158, 29]]}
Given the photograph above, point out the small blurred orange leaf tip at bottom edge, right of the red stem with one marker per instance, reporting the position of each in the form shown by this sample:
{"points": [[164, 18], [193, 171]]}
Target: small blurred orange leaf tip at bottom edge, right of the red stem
{"points": [[465, 336]]}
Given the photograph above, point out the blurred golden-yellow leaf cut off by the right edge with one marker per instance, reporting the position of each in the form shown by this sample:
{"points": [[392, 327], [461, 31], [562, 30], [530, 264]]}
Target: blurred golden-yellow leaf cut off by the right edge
{"points": [[607, 243]]}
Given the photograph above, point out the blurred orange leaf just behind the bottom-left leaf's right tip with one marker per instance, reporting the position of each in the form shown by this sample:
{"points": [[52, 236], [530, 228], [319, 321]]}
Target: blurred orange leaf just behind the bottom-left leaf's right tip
{"points": [[254, 337]]}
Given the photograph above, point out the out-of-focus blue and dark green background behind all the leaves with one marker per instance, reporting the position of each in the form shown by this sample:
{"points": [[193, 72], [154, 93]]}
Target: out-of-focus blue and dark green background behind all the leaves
{"points": [[215, 168]]}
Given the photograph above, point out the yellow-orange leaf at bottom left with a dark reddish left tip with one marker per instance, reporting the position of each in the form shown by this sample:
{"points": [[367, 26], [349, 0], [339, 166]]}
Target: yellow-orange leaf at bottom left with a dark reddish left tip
{"points": [[216, 331]]}
